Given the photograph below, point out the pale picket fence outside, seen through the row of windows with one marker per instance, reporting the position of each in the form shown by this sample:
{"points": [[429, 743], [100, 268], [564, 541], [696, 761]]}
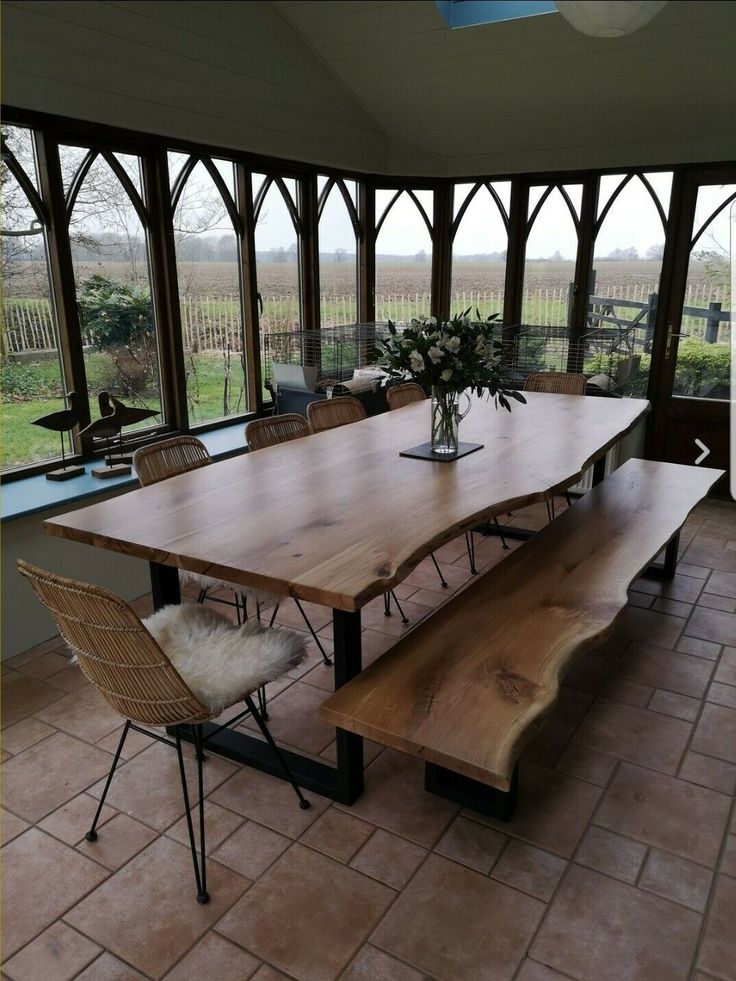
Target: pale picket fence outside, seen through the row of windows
{"points": [[214, 323]]}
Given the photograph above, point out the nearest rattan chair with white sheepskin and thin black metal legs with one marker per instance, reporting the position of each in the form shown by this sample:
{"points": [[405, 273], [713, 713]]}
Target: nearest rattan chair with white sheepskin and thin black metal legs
{"points": [[152, 681]]}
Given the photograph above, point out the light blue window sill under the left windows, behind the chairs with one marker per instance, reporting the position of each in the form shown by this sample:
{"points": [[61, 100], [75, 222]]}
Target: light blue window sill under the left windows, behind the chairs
{"points": [[32, 495]]}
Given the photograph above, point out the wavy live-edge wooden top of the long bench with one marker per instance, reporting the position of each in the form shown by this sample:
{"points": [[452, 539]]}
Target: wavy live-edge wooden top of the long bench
{"points": [[470, 686]]}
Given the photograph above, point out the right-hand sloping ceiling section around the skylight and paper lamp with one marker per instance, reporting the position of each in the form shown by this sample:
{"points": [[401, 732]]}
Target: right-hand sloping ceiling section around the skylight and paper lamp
{"points": [[531, 94]]}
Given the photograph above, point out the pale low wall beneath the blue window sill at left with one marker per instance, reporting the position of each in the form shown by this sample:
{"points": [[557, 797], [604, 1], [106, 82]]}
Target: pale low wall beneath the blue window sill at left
{"points": [[24, 621]]}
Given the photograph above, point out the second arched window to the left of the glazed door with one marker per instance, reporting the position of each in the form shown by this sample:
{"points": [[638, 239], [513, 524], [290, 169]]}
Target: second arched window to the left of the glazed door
{"points": [[553, 218]]}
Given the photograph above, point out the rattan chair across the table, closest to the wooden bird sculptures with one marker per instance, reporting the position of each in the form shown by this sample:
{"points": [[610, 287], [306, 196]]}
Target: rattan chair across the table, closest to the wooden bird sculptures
{"points": [[172, 457]]}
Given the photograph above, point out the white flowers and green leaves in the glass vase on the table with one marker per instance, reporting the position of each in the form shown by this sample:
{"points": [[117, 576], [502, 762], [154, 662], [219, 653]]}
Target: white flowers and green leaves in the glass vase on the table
{"points": [[456, 355]]}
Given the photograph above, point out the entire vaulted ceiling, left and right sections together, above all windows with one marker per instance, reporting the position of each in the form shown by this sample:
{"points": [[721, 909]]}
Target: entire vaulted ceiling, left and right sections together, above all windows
{"points": [[383, 86]]}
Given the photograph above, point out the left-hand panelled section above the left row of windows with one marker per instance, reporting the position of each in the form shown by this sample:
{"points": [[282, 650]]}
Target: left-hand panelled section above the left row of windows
{"points": [[230, 74]]}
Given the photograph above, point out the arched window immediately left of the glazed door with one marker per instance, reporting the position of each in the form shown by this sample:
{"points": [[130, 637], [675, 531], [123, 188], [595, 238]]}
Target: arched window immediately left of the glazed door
{"points": [[627, 261]]}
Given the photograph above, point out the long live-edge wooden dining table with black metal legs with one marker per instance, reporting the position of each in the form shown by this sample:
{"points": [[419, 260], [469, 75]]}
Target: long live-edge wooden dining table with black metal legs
{"points": [[338, 517]]}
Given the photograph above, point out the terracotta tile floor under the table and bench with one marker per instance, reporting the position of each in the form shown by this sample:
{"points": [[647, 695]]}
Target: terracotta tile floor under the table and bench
{"points": [[619, 864]]}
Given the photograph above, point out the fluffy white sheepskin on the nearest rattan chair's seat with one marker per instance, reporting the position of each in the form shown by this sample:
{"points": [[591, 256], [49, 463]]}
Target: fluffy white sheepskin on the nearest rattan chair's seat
{"points": [[219, 661]]}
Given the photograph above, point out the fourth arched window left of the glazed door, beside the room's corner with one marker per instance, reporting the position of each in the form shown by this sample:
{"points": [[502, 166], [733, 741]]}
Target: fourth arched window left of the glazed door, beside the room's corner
{"points": [[403, 254]]}
